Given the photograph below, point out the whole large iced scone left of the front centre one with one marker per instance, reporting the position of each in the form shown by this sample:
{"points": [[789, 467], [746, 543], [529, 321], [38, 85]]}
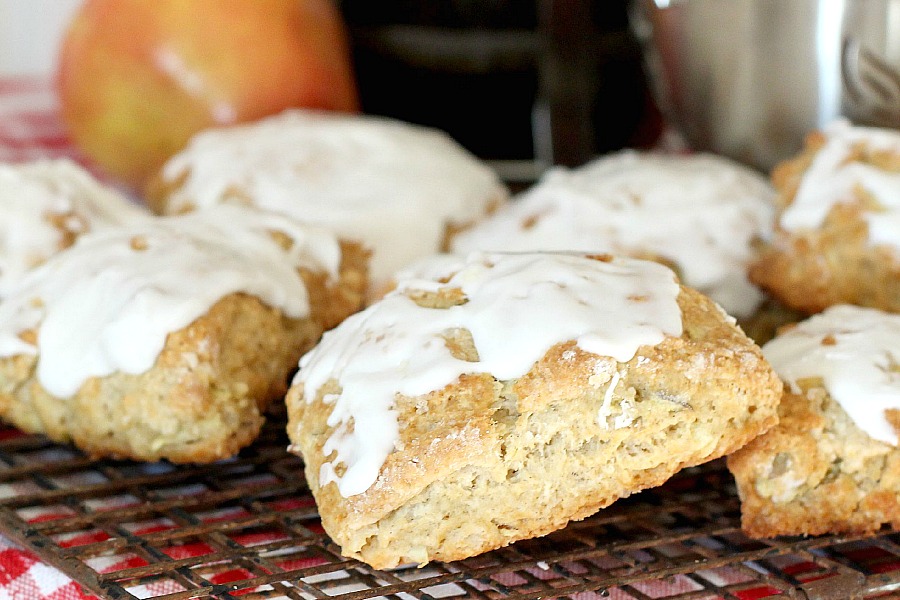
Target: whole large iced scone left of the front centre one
{"points": [[167, 338]]}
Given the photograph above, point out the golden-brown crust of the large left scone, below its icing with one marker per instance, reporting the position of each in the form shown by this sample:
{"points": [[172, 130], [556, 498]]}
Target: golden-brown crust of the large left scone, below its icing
{"points": [[205, 397]]}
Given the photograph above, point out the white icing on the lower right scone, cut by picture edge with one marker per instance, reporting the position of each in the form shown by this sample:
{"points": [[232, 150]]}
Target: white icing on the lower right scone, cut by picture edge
{"points": [[855, 352]]}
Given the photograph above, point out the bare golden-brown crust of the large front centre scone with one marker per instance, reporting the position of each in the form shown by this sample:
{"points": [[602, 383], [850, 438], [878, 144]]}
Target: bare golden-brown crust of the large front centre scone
{"points": [[483, 463]]}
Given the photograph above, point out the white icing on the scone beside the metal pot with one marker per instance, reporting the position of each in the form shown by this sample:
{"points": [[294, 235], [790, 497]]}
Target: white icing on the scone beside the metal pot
{"points": [[833, 178]]}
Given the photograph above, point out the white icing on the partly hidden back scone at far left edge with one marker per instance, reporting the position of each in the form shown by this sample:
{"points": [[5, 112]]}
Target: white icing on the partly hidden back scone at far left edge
{"points": [[41, 203]]}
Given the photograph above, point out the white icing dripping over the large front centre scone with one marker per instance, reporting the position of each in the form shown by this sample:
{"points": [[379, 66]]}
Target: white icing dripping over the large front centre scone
{"points": [[518, 306]]}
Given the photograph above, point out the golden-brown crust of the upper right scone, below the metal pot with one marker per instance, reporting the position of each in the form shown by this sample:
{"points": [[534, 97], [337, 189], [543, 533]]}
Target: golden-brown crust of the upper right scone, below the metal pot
{"points": [[811, 270]]}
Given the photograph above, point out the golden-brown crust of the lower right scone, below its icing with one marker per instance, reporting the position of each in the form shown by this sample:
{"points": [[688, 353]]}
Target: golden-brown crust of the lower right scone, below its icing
{"points": [[816, 472]]}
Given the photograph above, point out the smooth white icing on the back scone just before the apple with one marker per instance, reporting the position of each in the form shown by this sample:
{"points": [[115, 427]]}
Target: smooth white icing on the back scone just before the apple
{"points": [[390, 185]]}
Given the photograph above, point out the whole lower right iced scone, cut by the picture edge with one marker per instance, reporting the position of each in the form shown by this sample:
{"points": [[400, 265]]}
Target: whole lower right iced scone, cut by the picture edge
{"points": [[832, 464]]}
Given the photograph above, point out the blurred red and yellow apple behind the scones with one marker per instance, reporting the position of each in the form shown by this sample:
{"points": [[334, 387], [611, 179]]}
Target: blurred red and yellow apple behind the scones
{"points": [[137, 78]]}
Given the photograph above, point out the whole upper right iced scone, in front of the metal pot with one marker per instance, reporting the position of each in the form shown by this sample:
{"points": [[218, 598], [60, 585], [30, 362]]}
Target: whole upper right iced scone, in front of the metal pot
{"points": [[837, 239]]}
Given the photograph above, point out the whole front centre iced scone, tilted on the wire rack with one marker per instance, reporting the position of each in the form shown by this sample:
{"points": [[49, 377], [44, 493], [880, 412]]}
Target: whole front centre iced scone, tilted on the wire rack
{"points": [[513, 394]]}
